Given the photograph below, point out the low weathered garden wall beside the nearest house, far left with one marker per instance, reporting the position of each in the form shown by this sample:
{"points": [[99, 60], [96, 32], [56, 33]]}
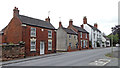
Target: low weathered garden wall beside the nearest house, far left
{"points": [[12, 51]]}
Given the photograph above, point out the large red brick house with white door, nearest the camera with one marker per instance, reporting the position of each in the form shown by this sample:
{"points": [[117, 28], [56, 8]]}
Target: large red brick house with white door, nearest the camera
{"points": [[39, 36]]}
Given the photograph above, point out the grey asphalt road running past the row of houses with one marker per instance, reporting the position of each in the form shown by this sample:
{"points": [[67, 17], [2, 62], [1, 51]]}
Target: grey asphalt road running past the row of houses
{"points": [[77, 58]]}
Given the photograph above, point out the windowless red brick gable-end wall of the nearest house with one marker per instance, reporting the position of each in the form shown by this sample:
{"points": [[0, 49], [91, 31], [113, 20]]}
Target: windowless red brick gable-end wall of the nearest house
{"points": [[13, 31]]}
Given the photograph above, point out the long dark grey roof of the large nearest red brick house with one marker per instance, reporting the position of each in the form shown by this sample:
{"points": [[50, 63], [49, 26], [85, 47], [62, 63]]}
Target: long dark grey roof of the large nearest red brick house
{"points": [[35, 22]]}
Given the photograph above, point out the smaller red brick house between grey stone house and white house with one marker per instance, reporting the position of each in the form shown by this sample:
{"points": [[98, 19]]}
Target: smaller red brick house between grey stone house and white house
{"points": [[83, 35]]}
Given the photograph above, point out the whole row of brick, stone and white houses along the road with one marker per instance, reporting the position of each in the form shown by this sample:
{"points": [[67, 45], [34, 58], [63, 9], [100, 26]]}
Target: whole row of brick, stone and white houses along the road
{"points": [[41, 37]]}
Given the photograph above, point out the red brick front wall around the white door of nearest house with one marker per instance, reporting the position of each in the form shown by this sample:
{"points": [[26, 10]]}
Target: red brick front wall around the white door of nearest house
{"points": [[40, 36]]}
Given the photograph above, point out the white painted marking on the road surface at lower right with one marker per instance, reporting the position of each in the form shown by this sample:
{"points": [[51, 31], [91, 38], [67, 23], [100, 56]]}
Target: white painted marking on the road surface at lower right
{"points": [[100, 62]]}
